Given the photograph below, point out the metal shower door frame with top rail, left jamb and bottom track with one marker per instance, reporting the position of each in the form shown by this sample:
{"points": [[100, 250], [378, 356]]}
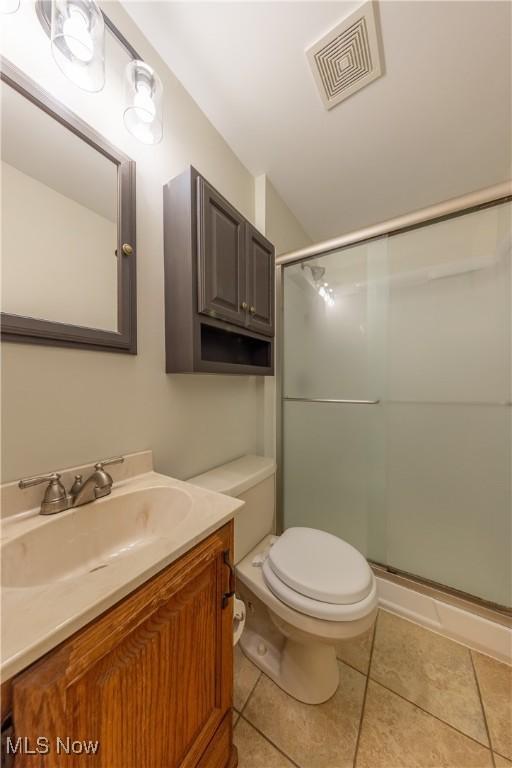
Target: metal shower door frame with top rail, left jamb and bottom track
{"points": [[459, 206]]}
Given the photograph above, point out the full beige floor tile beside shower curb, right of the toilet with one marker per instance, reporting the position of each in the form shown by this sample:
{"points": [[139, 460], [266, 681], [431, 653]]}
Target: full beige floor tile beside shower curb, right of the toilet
{"points": [[433, 672]]}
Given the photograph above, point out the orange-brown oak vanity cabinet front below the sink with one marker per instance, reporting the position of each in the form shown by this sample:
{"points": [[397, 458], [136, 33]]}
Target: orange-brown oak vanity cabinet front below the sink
{"points": [[151, 679]]}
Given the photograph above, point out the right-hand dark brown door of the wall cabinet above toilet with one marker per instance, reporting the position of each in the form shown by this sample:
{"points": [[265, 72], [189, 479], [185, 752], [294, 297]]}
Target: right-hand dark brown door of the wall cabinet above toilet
{"points": [[260, 281]]}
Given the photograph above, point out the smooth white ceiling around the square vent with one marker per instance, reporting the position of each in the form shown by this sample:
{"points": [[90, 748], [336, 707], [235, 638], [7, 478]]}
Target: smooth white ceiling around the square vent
{"points": [[436, 125]]}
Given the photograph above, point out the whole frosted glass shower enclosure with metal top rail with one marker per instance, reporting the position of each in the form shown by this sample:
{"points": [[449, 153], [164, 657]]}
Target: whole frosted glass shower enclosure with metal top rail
{"points": [[395, 395]]}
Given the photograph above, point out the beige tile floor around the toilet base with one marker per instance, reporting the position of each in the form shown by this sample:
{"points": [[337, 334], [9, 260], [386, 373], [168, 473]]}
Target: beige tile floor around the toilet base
{"points": [[408, 698]]}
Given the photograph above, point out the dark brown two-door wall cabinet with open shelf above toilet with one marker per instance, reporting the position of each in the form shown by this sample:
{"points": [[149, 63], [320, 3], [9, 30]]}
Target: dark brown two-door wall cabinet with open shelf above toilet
{"points": [[219, 283]]}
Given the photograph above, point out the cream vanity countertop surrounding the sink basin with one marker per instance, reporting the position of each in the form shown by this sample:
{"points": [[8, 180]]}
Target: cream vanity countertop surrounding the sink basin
{"points": [[38, 617]]}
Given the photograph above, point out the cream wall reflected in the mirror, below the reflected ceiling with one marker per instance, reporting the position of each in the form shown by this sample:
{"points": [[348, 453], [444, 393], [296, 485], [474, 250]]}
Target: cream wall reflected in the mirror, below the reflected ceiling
{"points": [[81, 253]]}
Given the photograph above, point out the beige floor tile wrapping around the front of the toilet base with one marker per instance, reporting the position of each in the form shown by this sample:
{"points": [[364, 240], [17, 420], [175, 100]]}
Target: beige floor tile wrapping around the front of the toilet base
{"points": [[322, 736]]}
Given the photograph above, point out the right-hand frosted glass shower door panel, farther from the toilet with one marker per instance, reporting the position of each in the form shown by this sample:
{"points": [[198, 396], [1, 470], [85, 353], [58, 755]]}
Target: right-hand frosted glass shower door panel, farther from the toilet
{"points": [[447, 409]]}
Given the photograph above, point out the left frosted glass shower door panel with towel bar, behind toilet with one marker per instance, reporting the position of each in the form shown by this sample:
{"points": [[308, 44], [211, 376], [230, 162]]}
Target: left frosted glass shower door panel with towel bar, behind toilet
{"points": [[334, 313]]}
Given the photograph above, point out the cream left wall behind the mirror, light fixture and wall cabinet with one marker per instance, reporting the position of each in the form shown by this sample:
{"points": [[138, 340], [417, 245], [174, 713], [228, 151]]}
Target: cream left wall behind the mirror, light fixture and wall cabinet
{"points": [[62, 407]]}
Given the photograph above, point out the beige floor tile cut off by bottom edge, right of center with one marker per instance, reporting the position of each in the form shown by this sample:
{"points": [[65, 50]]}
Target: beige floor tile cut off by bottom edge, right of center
{"points": [[396, 734]]}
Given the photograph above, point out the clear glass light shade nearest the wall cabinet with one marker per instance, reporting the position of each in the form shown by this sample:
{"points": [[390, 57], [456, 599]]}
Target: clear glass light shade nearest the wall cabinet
{"points": [[143, 99]]}
